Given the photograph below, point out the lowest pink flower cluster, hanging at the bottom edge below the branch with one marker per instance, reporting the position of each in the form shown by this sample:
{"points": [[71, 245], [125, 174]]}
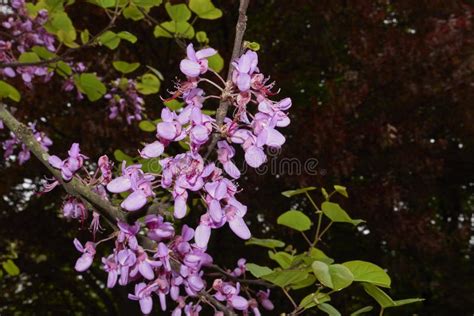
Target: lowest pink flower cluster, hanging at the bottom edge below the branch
{"points": [[175, 269]]}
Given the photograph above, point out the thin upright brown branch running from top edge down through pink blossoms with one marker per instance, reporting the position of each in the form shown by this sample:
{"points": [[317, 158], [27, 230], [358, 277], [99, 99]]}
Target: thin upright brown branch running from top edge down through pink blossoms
{"points": [[236, 51]]}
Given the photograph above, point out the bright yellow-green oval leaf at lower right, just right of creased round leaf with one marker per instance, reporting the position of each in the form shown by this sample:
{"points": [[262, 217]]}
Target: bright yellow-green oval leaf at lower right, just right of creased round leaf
{"points": [[364, 271]]}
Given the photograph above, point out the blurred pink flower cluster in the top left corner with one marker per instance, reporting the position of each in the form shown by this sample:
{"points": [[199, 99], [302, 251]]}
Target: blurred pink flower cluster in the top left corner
{"points": [[26, 32]]}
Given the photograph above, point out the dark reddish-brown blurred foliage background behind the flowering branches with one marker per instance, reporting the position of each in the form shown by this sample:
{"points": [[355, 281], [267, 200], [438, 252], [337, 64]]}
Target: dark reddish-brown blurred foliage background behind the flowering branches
{"points": [[382, 98]]}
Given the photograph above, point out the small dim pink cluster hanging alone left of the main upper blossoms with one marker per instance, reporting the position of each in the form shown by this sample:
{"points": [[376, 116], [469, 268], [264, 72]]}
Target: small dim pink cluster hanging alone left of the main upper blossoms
{"points": [[124, 100]]}
